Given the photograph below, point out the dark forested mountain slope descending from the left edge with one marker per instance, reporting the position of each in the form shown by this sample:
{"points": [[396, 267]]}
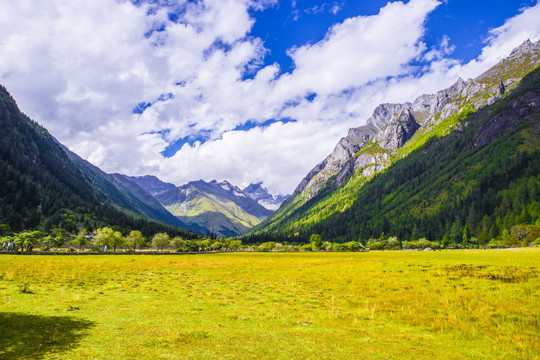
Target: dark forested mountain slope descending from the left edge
{"points": [[47, 186]]}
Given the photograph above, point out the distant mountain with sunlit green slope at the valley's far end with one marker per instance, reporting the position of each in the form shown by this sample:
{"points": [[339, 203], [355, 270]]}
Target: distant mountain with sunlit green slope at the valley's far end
{"points": [[219, 208]]}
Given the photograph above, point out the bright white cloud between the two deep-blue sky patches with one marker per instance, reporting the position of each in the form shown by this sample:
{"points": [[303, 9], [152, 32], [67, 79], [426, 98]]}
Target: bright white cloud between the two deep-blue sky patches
{"points": [[359, 50]]}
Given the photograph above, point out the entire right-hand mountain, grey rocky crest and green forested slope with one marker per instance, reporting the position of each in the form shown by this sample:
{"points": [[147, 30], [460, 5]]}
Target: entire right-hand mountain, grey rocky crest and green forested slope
{"points": [[442, 162]]}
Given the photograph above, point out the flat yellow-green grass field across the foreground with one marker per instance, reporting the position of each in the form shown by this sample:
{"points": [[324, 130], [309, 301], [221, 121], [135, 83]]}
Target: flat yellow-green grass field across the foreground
{"points": [[377, 305]]}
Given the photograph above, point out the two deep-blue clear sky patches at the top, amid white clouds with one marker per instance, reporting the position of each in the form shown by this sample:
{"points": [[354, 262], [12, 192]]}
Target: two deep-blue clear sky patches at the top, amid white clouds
{"points": [[294, 23]]}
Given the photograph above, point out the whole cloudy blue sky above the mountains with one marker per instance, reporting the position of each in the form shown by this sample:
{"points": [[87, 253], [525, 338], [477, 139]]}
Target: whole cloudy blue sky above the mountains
{"points": [[239, 90]]}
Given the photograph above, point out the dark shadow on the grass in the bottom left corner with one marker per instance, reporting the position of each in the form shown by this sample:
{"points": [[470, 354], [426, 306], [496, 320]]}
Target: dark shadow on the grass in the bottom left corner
{"points": [[34, 336]]}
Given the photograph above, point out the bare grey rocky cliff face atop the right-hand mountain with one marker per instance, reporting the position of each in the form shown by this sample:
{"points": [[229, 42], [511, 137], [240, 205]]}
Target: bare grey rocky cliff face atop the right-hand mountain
{"points": [[367, 149]]}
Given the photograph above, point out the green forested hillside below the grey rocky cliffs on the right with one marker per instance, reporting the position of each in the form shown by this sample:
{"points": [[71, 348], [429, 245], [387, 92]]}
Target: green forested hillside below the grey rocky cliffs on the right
{"points": [[474, 173]]}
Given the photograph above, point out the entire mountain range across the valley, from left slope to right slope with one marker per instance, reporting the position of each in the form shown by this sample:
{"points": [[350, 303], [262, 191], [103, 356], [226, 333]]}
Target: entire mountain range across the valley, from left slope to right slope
{"points": [[463, 163]]}
